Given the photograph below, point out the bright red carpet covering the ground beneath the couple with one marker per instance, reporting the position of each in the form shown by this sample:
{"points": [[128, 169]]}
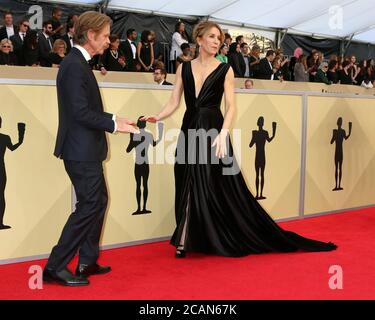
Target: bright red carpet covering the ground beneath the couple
{"points": [[151, 271]]}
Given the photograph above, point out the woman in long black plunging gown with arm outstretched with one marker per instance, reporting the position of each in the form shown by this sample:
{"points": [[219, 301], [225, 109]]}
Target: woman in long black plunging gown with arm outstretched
{"points": [[215, 211]]}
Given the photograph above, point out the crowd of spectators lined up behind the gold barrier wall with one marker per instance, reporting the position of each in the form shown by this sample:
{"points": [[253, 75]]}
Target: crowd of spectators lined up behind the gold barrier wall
{"points": [[25, 47]]}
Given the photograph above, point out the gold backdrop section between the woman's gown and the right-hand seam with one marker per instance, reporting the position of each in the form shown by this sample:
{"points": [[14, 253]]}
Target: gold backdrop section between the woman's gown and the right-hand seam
{"points": [[282, 154]]}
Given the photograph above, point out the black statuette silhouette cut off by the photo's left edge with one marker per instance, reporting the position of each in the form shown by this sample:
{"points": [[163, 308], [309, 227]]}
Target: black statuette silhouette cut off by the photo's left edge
{"points": [[5, 142]]}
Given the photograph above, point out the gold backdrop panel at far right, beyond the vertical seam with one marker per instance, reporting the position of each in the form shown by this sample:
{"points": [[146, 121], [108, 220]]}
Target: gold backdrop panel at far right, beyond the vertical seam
{"points": [[355, 154]]}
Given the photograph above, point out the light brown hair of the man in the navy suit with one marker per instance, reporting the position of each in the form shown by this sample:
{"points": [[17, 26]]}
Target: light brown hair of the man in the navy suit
{"points": [[89, 20]]}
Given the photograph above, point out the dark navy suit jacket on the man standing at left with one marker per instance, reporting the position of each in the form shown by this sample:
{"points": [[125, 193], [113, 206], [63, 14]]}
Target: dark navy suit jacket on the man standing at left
{"points": [[82, 121]]}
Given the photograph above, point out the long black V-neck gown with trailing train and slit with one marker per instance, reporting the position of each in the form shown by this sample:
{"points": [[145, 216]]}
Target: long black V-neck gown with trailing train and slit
{"points": [[216, 213]]}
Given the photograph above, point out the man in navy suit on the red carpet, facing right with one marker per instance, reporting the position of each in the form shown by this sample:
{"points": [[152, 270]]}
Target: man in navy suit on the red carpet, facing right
{"points": [[82, 144]]}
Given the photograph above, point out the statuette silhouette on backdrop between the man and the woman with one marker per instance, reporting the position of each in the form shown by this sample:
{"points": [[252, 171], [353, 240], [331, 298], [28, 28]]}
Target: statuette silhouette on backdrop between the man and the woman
{"points": [[141, 143]]}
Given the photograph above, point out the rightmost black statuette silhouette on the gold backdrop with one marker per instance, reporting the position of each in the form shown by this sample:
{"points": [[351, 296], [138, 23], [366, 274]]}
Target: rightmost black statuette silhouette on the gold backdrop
{"points": [[338, 136]]}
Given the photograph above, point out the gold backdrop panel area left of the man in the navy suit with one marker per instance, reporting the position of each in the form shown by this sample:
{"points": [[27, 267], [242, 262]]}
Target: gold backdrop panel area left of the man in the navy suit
{"points": [[38, 192]]}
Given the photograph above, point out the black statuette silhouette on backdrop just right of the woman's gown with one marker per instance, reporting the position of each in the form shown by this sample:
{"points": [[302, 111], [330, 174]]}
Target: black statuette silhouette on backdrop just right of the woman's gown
{"points": [[259, 139]]}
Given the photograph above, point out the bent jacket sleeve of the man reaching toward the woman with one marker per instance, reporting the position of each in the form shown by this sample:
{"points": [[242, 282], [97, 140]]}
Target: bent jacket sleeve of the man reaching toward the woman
{"points": [[77, 87]]}
